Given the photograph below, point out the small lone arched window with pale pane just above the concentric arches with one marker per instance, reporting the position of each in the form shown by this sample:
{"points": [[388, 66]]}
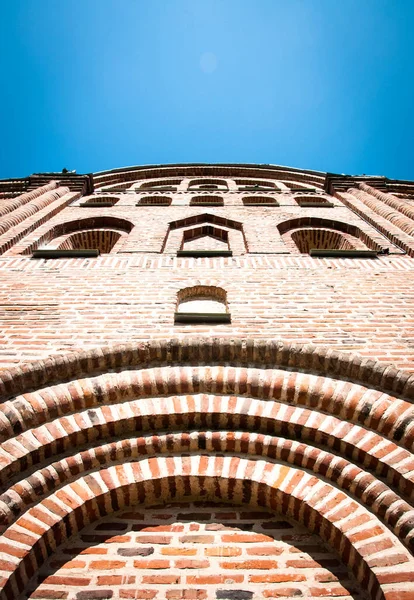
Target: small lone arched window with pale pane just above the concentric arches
{"points": [[202, 304]]}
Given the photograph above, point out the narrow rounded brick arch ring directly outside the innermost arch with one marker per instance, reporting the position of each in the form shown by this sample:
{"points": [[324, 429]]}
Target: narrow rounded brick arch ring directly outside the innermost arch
{"points": [[339, 471]]}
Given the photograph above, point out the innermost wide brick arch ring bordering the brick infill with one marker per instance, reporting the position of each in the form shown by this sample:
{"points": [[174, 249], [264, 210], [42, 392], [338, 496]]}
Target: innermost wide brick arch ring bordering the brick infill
{"points": [[285, 490]]}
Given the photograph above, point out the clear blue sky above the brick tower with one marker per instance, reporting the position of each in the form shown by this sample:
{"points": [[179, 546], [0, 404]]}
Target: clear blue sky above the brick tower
{"points": [[98, 84]]}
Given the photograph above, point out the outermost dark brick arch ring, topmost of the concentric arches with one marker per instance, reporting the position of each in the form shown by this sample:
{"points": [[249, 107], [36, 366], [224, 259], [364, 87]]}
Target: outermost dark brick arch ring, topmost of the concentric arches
{"points": [[270, 353]]}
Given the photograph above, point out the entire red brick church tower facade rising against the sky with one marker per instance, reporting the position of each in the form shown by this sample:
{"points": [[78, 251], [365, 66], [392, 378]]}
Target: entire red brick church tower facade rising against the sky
{"points": [[207, 385]]}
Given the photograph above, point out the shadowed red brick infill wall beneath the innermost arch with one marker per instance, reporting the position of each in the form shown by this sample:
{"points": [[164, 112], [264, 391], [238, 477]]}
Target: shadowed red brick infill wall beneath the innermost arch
{"points": [[195, 552]]}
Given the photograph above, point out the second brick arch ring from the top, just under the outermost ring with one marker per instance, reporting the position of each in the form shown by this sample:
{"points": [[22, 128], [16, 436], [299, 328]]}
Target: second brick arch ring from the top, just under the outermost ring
{"points": [[380, 412]]}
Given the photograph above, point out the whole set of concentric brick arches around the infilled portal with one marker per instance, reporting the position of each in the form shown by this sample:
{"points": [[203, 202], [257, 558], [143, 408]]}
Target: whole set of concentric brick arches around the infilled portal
{"points": [[267, 408]]}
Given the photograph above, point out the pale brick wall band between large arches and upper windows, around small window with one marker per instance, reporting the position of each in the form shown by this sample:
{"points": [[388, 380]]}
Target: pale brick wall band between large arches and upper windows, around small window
{"points": [[357, 305]]}
